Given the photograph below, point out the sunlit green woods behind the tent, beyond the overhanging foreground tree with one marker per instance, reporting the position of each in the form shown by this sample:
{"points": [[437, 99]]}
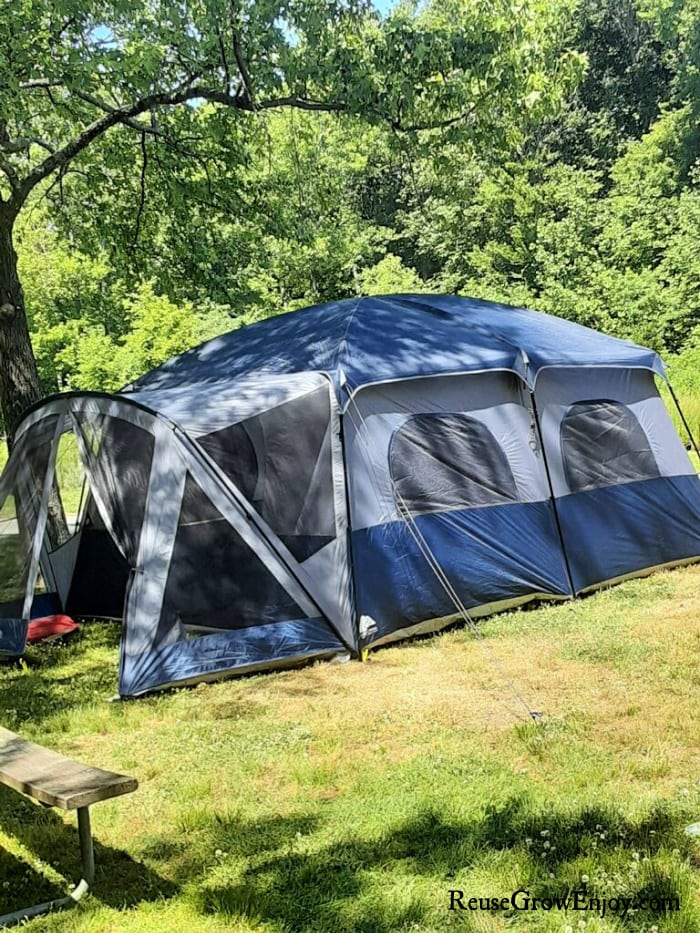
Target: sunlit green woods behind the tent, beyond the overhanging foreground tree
{"points": [[588, 208]]}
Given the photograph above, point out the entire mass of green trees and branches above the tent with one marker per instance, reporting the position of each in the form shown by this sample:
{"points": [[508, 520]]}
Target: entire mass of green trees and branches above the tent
{"points": [[169, 172]]}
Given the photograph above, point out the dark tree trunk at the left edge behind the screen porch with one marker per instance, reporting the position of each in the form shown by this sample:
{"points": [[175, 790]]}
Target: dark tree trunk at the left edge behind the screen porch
{"points": [[19, 380]]}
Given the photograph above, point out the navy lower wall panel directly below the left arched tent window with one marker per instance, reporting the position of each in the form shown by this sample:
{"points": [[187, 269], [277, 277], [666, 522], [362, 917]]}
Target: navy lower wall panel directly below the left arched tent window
{"points": [[489, 555]]}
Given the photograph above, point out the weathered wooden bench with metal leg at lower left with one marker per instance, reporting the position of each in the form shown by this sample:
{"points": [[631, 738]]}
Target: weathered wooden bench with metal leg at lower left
{"points": [[56, 781]]}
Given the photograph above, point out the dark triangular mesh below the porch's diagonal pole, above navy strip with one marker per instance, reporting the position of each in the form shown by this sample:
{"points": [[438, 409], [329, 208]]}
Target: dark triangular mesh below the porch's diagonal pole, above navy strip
{"points": [[215, 580]]}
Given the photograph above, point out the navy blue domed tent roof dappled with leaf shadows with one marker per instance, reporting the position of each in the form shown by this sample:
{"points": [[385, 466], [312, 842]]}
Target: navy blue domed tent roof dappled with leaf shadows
{"points": [[360, 341]]}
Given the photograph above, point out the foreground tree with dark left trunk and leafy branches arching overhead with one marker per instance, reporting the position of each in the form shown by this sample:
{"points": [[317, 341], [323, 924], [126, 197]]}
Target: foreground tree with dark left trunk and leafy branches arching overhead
{"points": [[185, 77]]}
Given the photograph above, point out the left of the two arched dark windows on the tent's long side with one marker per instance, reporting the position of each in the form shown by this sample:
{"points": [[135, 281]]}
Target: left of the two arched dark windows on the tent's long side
{"points": [[444, 462]]}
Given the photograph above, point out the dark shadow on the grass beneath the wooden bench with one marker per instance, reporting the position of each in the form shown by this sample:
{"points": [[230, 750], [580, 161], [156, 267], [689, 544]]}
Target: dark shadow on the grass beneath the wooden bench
{"points": [[120, 880]]}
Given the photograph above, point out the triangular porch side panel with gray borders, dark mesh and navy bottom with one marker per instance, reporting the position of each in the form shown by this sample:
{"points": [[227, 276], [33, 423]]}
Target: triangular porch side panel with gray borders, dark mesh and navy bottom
{"points": [[209, 597]]}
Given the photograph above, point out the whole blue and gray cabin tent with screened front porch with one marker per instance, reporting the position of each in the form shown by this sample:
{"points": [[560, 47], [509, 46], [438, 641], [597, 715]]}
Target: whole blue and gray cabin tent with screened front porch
{"points": [[340, 477]]}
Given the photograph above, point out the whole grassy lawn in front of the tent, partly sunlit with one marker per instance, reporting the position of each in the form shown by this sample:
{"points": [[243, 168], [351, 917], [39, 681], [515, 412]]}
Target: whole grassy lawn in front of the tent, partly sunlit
{"points": [[354, 797]]}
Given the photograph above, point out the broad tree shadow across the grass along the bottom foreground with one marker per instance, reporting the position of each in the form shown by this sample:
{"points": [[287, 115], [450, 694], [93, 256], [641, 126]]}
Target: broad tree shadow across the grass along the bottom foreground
{"points": [[365, 884]]}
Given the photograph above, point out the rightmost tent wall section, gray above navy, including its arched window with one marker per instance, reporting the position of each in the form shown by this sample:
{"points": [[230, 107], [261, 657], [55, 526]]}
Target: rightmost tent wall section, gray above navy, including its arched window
{"points": [[626, 493]]}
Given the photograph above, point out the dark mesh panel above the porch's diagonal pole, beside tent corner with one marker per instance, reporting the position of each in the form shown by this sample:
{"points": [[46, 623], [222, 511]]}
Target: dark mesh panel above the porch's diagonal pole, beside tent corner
{"points": [[281, 461]]}
